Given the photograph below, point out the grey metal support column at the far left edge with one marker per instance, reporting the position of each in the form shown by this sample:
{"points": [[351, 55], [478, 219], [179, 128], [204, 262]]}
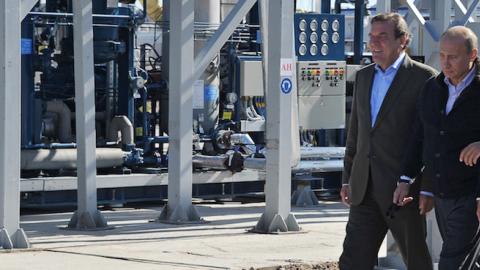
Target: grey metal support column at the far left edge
{"points": [[11, 235]]}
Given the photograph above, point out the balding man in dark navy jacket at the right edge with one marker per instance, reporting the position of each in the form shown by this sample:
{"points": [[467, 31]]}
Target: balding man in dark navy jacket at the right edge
{"points": [[448, 121]]}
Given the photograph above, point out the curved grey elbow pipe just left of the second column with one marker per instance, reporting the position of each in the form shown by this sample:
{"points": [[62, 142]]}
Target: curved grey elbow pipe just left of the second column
{"points": [[64, 119]]}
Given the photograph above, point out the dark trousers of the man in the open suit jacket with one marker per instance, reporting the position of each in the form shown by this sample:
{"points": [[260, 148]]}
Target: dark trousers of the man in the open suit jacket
{"points": [[367, 226]]}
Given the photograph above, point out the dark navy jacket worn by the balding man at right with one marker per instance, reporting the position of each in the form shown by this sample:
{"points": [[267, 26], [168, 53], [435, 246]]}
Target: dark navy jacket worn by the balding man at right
{"points": [[438, 138]]}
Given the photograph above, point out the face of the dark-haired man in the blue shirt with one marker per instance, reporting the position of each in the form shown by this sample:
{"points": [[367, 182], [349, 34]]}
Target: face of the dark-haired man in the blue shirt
{"points": [[384, 46]]}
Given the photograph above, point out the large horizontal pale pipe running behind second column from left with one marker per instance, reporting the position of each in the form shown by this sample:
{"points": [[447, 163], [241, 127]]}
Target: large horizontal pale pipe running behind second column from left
{"points": [[54, 159]]}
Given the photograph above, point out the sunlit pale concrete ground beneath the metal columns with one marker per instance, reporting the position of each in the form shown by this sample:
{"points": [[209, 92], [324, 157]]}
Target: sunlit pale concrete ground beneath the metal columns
{"points": [[221, 243]]}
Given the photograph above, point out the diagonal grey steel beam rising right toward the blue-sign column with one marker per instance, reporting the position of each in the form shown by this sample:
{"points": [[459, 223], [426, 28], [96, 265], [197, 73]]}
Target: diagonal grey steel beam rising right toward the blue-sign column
{"points": [[215, 43]]}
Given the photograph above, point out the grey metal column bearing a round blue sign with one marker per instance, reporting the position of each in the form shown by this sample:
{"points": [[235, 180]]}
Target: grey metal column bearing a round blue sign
{"points": [[279, 97]]}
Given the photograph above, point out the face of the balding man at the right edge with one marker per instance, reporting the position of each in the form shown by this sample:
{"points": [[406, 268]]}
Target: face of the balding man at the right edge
{"points": [[455, 61]]}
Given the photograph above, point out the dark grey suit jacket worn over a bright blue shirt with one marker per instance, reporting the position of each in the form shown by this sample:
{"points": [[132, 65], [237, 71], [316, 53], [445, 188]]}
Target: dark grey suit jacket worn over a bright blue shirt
{"points": [[379, 150]]}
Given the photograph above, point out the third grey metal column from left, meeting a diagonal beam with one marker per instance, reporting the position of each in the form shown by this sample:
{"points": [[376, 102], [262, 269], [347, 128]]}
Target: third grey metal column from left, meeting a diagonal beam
{"points": [[179, 208]]}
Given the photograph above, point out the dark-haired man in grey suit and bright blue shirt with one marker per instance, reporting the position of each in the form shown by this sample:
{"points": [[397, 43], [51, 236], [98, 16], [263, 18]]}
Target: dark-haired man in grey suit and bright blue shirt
{"points": [[382, 112]]}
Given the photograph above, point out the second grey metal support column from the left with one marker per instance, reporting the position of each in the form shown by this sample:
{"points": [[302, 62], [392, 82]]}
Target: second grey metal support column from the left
{"points": [[87, 217]]}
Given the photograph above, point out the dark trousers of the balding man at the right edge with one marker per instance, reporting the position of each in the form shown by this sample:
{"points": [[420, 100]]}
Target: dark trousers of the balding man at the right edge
{"points": [[458, 223]]}
